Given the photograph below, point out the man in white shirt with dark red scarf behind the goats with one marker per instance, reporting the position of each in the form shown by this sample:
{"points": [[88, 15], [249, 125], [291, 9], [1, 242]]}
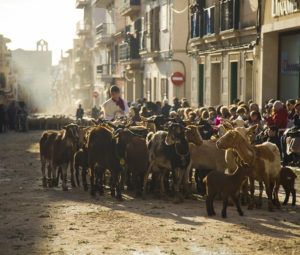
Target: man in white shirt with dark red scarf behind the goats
{"points": [[115, 105]]}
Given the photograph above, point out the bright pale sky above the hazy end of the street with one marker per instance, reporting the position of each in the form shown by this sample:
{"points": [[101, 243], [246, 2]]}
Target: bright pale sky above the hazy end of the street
{"points": [[27, 21]]}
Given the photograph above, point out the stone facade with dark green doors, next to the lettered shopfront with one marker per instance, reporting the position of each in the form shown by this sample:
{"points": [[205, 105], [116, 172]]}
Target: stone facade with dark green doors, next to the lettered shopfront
{"points": [[224, 39]]}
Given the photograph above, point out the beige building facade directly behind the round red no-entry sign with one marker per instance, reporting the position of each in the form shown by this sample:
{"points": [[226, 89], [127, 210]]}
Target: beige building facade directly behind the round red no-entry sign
{"points": [[163, 49]]}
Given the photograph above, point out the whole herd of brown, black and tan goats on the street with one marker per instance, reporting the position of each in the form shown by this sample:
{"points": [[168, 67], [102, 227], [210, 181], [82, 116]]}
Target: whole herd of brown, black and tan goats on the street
{"points": [[127, 152]]}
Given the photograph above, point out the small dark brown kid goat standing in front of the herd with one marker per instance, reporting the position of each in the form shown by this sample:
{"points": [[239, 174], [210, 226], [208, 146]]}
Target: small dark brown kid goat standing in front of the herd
{"points": [[228, 185]]}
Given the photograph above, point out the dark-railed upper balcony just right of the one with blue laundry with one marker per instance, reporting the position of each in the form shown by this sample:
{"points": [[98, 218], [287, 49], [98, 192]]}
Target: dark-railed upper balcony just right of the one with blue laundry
{"points": [[229, 15]]}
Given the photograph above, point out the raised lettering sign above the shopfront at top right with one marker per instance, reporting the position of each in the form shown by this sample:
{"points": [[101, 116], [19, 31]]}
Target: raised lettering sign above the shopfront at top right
{"points": [[286, 7]]}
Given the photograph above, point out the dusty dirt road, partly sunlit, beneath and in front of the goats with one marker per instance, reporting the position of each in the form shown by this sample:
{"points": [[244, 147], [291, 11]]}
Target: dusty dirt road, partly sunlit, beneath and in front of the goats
{"points": [[34, 220]]}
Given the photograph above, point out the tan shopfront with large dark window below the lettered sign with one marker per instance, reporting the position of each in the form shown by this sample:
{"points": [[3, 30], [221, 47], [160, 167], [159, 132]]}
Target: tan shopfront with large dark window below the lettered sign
{"points": [[280, 50]]}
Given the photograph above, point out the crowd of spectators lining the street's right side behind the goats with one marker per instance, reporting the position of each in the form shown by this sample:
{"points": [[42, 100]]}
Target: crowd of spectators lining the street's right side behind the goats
{"points": [[275, 121]]}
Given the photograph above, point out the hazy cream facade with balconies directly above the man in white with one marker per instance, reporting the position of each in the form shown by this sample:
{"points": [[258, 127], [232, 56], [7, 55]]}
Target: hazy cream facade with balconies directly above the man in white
{"points": [[109, 35]]}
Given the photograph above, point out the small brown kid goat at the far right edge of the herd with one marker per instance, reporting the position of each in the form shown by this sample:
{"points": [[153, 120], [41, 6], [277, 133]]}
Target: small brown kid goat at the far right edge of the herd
{"points": [[287, 180]]}
